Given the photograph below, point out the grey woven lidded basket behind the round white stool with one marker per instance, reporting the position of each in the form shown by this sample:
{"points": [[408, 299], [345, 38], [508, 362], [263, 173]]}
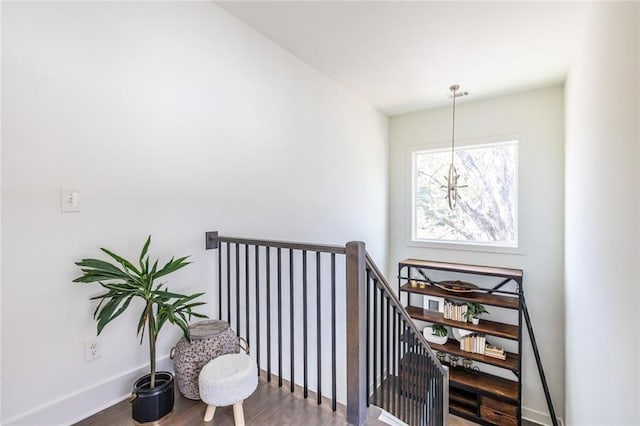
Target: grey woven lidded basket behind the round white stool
{"points": [[209, 340]]}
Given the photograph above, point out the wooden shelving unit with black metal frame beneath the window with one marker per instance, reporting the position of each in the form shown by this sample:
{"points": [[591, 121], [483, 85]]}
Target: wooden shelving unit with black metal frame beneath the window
{"points": [[479, 396]]}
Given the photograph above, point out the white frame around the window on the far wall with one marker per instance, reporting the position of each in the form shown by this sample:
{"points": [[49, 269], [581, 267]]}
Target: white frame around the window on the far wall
{"points": [[518, 248]]}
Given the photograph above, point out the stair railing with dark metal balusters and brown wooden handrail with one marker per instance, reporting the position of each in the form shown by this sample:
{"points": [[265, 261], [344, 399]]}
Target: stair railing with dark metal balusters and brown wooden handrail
{"points": [[303, 307]]}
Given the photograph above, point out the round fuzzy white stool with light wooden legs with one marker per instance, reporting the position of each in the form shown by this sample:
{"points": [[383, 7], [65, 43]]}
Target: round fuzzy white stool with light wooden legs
{"points": [[227, 380]]}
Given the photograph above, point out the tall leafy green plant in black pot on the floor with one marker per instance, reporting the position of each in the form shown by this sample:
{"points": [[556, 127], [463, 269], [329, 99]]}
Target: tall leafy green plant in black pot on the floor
{"points": [[123, 281]]}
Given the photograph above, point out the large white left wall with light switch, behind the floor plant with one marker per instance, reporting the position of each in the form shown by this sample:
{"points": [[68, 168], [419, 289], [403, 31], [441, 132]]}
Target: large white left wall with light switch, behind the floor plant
{"points": [[172, 119]]}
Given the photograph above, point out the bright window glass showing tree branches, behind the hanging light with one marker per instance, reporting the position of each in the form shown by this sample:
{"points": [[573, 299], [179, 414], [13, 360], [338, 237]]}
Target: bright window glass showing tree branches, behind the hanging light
{"points": [[486, 213]]}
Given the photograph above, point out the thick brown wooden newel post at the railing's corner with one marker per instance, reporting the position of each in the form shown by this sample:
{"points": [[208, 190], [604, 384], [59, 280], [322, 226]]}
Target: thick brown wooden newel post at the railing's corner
{"points": [[356, 333]]}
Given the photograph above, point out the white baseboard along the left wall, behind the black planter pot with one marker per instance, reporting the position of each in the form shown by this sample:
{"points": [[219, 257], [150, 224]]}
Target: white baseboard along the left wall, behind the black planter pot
{"points": [[83, 403]]}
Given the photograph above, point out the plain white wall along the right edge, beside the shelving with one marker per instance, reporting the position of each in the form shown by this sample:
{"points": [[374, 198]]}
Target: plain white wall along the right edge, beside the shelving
{"points": [[602, 211]]}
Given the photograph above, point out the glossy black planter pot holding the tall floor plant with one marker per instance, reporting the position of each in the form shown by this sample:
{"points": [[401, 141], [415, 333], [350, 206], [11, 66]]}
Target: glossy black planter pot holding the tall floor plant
{"points": [[150, 405]]}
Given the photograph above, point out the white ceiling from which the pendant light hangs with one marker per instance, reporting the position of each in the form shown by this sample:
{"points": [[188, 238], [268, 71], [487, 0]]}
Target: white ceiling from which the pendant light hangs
{"points": [[403, 56]]}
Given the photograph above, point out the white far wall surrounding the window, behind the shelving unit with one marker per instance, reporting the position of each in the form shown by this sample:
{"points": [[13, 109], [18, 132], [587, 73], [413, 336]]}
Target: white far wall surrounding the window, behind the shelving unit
{"points": [[536, 119]]}
